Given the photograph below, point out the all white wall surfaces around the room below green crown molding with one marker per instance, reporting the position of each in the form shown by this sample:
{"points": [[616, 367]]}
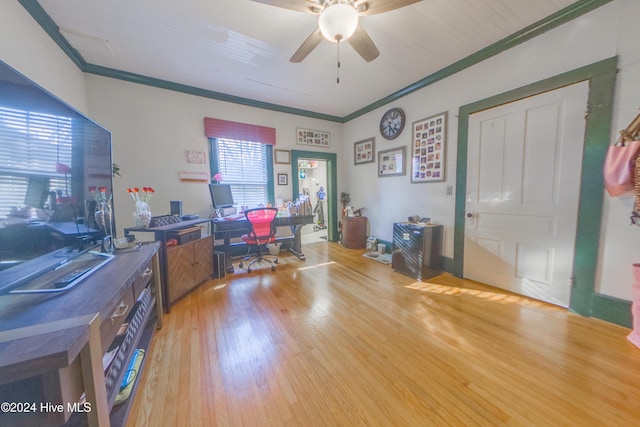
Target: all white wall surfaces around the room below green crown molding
{"points": [[152, 128]]}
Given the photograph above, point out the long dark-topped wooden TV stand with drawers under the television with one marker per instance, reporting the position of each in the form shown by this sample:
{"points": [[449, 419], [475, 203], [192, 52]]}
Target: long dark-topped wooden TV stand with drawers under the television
{"points": [[52, 346]]}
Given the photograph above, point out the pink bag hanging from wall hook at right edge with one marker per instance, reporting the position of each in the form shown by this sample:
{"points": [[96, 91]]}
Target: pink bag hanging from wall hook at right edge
{"points": [[619, 167]]}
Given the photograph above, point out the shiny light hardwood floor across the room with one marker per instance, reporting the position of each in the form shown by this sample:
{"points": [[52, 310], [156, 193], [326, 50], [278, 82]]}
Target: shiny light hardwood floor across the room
{"points": [[340, 340]]}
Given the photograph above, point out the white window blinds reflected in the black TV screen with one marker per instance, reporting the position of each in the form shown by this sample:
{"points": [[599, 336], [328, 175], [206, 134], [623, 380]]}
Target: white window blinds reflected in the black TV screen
{"points": [[31, 144]]}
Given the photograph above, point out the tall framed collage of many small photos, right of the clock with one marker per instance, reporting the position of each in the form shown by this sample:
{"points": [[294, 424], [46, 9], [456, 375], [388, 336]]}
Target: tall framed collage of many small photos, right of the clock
{"points": [[428, 149]]}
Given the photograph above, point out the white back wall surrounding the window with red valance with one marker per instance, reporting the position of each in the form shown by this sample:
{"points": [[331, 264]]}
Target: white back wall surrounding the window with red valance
{"points": [[152, 129]]}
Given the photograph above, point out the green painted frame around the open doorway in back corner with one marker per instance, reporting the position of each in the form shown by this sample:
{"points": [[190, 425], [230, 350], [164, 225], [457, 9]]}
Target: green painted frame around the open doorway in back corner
{"points": [[332, 185]]}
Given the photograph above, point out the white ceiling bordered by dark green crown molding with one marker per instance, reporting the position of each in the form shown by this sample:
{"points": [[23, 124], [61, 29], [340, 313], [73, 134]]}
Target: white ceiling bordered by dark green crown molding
{"points": [[242, 48]]}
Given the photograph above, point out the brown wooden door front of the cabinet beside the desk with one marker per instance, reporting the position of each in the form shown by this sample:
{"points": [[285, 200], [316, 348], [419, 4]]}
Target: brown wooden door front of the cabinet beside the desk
{"points": [[188, 265]]}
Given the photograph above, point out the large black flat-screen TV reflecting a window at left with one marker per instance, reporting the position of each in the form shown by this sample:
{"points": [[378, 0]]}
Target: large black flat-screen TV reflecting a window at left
{"points": [[51, 158]]}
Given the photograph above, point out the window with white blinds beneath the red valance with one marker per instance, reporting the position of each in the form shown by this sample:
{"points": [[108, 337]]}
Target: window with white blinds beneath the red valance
{"points": [[247, 167]]}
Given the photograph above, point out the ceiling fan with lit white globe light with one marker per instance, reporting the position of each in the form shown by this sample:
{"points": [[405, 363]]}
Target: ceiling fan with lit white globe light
{"points": [[338, 22]]}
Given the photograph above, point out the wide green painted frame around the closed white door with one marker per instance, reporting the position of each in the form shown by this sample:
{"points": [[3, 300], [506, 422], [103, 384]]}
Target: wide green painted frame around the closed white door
{"points": [[602, 77]]}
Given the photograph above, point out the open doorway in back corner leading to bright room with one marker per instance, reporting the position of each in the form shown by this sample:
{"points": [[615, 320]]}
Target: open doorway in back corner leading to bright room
{"points": [[324, 173]]}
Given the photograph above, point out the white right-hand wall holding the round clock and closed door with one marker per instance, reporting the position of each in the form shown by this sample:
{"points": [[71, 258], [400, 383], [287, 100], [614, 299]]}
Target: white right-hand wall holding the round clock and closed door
{"points": [[606, 32]]}
